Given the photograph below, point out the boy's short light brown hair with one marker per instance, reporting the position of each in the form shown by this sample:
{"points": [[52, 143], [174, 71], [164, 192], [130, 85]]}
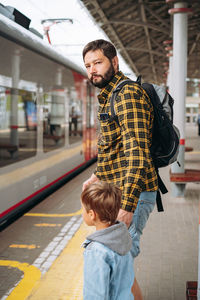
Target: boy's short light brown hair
{"points": [[104, 199]]}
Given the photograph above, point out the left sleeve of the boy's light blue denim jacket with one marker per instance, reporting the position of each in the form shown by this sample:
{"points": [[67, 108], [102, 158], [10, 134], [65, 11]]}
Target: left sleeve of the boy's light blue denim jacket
{"points": [[96, 276]]}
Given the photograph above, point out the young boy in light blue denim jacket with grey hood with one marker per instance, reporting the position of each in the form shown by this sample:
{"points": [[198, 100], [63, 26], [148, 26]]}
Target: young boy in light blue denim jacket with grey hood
{"points": [[108, 264]]}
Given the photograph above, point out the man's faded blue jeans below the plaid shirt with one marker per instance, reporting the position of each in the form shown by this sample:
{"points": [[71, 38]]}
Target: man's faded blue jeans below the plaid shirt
{"points": [[145, 206]]}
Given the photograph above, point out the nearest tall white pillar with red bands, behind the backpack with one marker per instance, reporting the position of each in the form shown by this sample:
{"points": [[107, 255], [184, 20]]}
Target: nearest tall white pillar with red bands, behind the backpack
{"points": [[179, 71]]}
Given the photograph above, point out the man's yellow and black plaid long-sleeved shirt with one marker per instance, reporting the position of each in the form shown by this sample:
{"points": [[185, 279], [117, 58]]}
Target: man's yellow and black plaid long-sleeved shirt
{"points": [[123, 151]]}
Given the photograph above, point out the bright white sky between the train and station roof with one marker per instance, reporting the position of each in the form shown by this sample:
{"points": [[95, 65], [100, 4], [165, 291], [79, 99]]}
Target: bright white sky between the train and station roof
{"points": [[66, 37]]}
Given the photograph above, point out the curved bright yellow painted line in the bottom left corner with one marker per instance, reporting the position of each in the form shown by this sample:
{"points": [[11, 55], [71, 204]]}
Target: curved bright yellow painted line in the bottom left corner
{"points": [[31, 277]]}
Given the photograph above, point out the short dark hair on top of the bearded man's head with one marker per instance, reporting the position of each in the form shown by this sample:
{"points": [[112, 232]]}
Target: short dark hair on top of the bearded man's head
{"points": [[106, 47]]}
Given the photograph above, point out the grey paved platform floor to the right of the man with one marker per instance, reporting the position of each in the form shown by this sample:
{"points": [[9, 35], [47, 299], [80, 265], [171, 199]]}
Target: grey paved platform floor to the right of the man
{"points": [[169, 246]]}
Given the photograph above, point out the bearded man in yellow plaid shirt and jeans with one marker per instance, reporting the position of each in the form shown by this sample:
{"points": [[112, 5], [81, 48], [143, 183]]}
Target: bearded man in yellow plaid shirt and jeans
{"points": [[123, 150]]}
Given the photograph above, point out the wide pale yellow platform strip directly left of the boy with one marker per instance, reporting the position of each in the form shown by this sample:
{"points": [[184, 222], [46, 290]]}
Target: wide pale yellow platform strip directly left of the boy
{"points": [[64, 280]]}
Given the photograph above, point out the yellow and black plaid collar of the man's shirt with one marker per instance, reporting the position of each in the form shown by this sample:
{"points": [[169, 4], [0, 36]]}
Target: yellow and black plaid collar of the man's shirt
{"points": [[104, 93]]}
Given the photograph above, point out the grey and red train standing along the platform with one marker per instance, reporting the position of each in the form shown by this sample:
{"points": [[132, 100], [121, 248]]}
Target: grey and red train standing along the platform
{"points": [[48, 123]]}
